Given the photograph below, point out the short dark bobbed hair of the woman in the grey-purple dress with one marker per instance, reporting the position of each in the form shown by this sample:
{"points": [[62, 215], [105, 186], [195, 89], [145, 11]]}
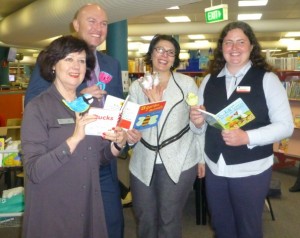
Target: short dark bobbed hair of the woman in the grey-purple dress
{"points": [[58, 50]]}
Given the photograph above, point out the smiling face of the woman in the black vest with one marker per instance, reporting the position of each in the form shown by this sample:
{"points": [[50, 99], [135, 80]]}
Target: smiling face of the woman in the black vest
{"points": [[236, 49]]}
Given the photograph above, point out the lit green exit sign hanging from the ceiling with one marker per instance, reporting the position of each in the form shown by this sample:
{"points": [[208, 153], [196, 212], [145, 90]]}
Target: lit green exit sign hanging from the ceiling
{"points": [[216, 13]]}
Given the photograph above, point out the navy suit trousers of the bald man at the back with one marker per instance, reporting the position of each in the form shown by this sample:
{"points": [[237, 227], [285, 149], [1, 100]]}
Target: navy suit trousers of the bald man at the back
{"points": [[113, 209]]}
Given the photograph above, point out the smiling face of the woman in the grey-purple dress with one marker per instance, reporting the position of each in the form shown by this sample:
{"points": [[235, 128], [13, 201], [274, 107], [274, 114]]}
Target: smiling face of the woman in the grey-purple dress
{"points": [[70, 71]]}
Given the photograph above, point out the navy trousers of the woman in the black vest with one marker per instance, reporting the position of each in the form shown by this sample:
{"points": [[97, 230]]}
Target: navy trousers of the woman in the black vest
{"points": [[236, 204]]}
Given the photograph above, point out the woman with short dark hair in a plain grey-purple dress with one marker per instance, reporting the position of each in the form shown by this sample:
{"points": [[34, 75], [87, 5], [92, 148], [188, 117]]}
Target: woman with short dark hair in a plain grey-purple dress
{"points": [[61, 163]]}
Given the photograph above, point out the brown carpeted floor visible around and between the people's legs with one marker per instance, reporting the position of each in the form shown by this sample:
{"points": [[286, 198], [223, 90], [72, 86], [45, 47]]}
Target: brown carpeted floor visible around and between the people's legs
{"points": [[286, 210]]}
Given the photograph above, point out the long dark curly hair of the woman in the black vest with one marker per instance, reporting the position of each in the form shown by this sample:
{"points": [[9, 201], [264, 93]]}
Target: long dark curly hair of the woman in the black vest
{"points": [[256, 57]]}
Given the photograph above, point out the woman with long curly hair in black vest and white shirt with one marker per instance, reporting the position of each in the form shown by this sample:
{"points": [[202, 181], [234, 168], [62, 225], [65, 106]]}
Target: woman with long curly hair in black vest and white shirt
{"points": [[239, 161]]}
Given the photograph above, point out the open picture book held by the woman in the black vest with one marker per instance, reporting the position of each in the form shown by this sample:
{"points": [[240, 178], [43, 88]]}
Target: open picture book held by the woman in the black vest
{"points": [[235, 115]]}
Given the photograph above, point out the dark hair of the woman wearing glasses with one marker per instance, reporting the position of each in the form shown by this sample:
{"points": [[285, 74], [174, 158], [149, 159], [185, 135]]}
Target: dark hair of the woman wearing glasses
{"points": [[154, 41]]}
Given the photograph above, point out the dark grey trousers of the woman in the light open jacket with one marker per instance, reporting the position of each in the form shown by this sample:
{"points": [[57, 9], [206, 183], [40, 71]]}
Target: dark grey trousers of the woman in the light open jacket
{"points": [[158, 207]]}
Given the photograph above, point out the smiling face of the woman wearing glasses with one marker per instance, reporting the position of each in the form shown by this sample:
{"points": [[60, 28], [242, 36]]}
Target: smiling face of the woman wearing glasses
{"points": [[163, 56]]}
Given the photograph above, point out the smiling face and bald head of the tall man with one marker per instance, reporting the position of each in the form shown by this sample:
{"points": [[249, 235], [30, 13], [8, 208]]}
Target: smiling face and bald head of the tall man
{"points": [[91, 25]]}
